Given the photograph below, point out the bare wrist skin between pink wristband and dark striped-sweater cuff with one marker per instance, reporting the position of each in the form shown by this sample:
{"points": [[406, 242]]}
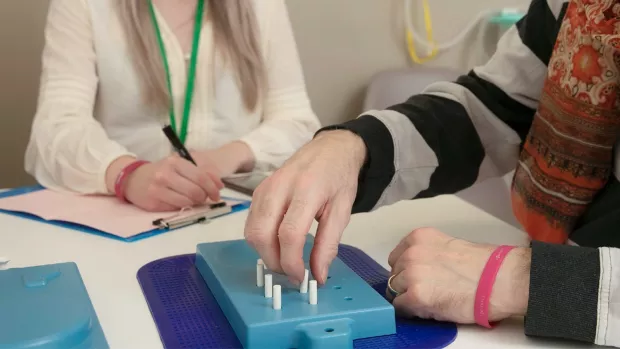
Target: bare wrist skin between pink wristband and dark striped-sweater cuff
{"points": [[511, 290]]}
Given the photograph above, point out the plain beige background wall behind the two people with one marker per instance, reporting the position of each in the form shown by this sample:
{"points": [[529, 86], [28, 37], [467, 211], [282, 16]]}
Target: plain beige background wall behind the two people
{"points": [[343, 44]]}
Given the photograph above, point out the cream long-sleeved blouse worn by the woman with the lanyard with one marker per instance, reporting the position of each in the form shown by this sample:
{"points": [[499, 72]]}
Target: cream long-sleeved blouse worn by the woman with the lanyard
{"points": [[90, 110]]}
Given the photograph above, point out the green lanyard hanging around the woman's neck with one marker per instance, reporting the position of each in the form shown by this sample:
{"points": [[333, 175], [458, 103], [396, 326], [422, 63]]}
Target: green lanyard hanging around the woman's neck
{"points": [[191, 75]]}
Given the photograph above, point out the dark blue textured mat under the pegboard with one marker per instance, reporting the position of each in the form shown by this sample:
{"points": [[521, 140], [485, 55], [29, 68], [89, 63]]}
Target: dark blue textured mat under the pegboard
{"points": [[188, 316]]}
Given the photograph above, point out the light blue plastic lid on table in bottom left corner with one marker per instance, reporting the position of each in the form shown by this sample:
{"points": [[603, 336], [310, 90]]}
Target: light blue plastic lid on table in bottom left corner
{"points": [[47, 307]]}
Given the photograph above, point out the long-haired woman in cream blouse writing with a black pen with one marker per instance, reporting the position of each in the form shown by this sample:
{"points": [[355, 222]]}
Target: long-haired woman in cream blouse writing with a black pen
{"points": [[225, 75]]}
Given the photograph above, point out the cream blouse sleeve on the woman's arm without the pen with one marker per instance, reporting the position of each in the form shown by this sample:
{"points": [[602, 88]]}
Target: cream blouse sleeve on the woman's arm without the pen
{"points": [[288, 120]]}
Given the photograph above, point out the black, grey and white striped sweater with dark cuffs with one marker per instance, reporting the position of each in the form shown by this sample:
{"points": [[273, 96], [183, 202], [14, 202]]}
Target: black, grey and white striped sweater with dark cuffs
{"points": [[457, 133]]}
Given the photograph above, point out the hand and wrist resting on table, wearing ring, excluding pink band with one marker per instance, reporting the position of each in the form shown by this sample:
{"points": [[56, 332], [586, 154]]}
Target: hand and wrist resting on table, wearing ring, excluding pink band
{"points": [[436, 277]]}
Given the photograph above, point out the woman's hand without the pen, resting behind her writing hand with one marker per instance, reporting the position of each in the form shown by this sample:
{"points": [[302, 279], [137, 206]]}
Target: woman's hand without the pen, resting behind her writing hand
{"points": [[231, 158]]}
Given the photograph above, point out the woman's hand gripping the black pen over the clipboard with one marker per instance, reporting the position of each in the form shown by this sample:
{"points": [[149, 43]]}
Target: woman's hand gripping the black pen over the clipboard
{"points": [[171, 184]]}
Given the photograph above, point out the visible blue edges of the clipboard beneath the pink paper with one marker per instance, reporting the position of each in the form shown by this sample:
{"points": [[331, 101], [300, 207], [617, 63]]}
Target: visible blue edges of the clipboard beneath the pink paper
{"points": [[242, 205]]}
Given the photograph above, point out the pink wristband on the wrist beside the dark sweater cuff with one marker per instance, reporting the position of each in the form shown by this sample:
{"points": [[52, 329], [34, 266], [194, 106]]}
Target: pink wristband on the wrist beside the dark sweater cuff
{"points": [[485, 285]]}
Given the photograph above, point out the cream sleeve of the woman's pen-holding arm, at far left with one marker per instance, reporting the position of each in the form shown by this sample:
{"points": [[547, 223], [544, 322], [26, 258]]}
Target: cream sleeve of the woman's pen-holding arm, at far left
{"points": [[68, 148]]}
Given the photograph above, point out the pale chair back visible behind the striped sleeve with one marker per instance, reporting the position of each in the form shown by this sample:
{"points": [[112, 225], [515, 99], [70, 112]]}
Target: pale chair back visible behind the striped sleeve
{"points": [[396, 86]]}
